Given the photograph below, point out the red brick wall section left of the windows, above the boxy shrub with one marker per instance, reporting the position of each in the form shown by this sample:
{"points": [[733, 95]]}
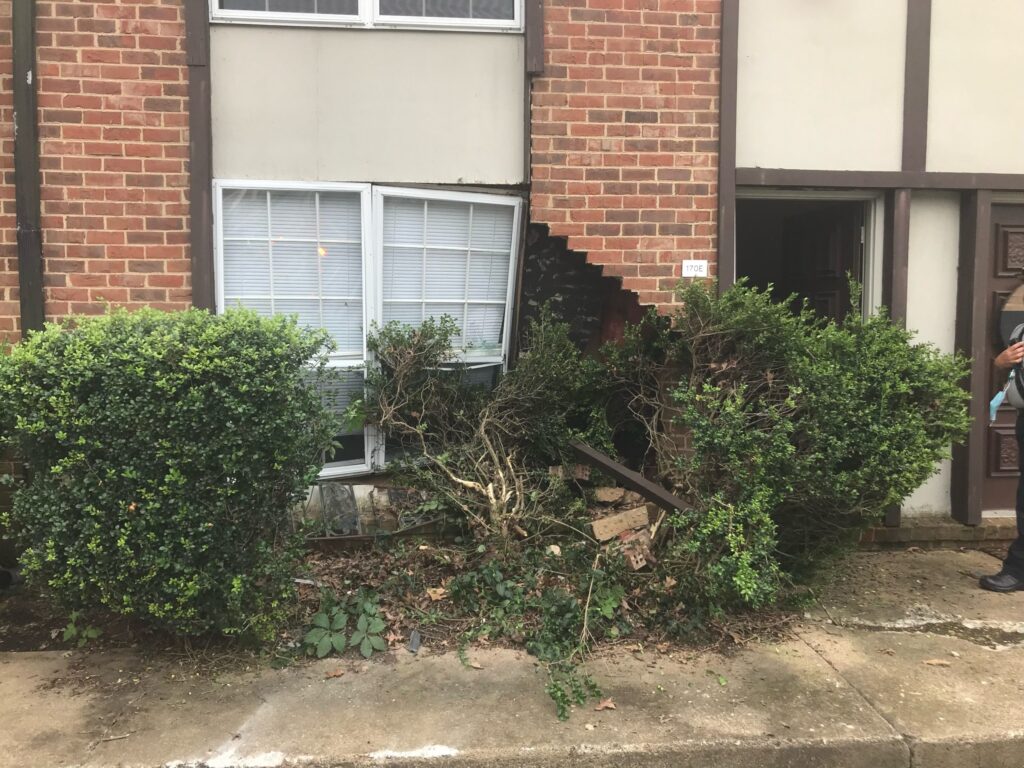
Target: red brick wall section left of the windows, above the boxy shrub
{"points": [[114, 143]]}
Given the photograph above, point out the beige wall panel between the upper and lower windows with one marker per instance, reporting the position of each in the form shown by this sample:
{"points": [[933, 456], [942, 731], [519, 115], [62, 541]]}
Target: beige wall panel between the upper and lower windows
{"points": [[367, 106]]}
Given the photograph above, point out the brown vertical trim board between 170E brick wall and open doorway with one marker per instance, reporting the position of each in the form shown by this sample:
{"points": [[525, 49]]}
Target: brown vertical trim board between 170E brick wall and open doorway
{"points": [[730, 53]]}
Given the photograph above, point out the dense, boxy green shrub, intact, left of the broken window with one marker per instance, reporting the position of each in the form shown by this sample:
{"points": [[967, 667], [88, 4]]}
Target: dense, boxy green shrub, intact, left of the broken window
{"points": [[164, 452]]}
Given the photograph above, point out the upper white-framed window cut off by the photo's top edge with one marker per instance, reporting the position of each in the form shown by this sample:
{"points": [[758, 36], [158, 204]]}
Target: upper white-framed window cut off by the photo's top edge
{"points": [[482, 15]]}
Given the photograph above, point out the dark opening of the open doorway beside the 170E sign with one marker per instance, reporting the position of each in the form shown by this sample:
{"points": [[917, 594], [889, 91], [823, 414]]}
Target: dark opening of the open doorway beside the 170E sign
{"points": [[804, 248]]}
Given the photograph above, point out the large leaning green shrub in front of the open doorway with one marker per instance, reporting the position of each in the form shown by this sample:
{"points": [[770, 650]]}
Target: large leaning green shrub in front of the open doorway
{"points": [[801, 434]]}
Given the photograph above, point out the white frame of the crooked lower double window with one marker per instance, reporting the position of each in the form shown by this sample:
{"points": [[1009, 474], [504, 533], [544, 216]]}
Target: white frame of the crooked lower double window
{"points": [[372, 223]]}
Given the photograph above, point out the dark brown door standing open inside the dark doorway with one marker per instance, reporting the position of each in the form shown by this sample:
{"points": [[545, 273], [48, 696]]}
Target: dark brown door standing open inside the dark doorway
{"points": [[822, 248]]}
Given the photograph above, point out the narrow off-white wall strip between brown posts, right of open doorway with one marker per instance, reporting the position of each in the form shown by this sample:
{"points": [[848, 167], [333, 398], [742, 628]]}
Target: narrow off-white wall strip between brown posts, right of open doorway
{"points": [[931, 307]]}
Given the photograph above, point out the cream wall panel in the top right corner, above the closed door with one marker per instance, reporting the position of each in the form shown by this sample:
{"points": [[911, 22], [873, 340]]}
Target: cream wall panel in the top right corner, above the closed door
{"points": [[976, 99]]}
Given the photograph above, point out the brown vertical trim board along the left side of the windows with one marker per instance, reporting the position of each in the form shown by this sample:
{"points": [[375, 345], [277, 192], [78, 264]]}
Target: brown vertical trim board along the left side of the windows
{"points": [[200, 154]]}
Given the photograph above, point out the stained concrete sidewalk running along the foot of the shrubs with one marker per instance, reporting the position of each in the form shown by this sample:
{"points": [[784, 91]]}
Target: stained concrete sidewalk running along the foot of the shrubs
{"points": [[908, 664]]}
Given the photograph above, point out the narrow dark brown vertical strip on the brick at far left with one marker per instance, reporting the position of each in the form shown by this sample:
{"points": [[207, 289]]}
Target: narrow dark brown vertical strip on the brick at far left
{"points": [[27, 182]]}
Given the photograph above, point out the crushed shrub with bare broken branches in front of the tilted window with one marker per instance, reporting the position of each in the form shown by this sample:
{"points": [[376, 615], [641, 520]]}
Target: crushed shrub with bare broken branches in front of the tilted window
{"points": [[485, 454]]}
